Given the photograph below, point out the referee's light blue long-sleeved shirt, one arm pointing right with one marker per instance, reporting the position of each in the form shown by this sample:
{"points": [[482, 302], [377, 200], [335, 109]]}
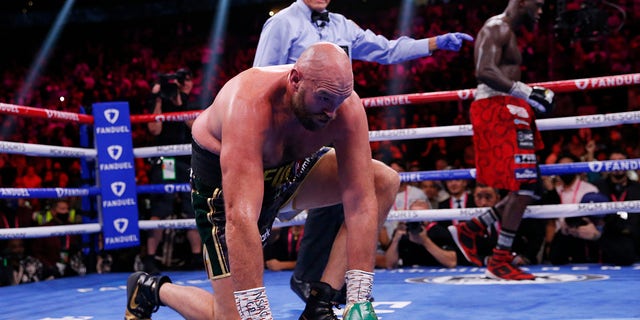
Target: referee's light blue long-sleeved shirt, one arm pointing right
{"points": [[288, 33]]}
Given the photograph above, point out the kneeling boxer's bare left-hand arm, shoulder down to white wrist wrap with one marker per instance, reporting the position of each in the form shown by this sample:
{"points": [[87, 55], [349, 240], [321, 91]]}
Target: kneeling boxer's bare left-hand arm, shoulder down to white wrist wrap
{"points": [[242, 178]]}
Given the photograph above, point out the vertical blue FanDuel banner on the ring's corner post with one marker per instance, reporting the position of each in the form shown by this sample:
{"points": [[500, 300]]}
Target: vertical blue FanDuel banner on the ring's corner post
{"points": [[116, 175]]}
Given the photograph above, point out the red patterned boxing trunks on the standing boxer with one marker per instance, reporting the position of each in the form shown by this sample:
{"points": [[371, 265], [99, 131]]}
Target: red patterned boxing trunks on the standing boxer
{"points": [[505, 139]]}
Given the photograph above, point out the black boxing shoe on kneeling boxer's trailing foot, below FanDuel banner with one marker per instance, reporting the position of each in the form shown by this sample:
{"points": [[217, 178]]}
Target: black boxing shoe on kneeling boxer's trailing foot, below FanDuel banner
{"points": [[143, 295]]}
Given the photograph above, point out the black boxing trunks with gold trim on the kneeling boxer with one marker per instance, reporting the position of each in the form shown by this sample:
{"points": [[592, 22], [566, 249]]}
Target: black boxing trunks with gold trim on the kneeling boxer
{"points": [[280, 186]]}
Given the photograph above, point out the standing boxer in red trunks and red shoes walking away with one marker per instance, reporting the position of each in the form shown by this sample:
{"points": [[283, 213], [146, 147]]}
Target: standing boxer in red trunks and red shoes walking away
{"points": [[505, 135]]}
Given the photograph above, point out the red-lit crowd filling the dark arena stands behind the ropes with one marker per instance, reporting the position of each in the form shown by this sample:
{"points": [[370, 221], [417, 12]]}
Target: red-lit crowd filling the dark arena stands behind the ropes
{"points": [[98, 62]]}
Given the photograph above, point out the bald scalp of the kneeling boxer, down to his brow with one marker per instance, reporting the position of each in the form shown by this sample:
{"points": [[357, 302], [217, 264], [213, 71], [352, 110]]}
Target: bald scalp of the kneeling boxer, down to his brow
{"points": [[328, 65]]}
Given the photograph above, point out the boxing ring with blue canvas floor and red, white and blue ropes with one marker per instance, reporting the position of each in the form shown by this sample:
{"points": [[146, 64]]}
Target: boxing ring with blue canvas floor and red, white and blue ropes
{"points": [[567, 292]]}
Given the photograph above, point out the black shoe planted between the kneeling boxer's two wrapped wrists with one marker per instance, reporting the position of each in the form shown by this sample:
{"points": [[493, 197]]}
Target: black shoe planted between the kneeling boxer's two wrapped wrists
{"points": [[319, 305]]}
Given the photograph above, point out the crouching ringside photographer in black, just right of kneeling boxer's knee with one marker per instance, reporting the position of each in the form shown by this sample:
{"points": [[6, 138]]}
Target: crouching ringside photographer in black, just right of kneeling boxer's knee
{"points": [[421, 243]]}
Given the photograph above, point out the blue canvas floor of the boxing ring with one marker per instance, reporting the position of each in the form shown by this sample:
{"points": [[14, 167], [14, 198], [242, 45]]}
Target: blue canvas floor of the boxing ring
{"points": [[585, 291]]}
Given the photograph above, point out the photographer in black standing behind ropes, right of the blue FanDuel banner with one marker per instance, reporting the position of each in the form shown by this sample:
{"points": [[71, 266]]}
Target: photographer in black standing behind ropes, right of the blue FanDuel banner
{"points": [[171, 94]]}
